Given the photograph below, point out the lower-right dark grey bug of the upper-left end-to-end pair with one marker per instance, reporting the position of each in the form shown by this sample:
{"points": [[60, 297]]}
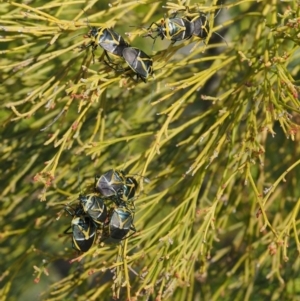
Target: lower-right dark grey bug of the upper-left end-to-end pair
{"points": [[139, 62]]}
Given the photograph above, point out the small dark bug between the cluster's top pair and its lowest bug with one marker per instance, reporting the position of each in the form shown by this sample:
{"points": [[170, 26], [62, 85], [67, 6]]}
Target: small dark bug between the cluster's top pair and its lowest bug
{"points": [[94, 207]]}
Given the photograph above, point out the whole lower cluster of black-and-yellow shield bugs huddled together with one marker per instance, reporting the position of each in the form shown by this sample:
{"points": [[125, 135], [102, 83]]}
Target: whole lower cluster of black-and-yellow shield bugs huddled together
{"points": [[109, 210]]}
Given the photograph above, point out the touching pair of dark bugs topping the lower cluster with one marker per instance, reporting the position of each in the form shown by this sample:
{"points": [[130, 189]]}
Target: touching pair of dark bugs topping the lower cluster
{"points": [[114, 184]]}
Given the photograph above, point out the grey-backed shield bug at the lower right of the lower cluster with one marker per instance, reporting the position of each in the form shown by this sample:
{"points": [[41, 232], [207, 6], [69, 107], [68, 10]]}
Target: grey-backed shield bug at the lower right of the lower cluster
{"points": [[121, 222]]}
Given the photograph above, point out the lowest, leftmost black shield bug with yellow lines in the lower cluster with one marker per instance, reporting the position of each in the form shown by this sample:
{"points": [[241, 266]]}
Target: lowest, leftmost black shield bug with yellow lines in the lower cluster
{"points": [[83, 230]]}
